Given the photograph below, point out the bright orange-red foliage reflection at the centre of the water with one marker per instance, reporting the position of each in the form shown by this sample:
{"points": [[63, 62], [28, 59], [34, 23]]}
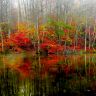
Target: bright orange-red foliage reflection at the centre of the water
{"points": [[50, 64]]}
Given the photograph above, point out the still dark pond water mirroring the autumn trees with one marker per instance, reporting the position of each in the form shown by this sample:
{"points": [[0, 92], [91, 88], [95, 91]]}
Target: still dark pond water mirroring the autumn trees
{"points": [[53, 75]]}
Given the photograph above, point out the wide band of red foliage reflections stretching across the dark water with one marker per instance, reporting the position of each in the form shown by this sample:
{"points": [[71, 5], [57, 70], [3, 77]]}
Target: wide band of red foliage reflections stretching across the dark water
{"points": [[51, 65]]}
